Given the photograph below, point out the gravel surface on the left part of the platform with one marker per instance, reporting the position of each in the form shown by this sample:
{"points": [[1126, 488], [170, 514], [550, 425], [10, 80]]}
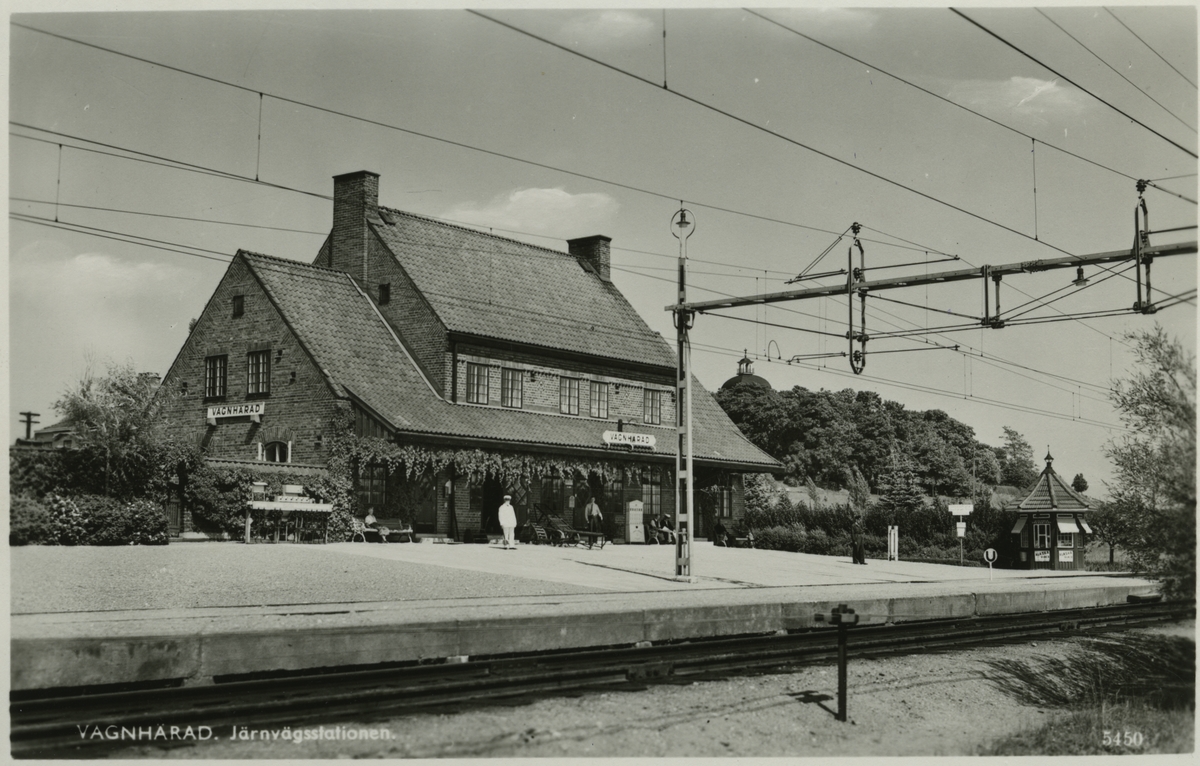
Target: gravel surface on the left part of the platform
{"points": [[206, 574]]}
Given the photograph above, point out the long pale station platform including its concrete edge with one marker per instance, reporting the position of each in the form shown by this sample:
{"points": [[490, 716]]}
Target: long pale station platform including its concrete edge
{"points": [[351, 605]]}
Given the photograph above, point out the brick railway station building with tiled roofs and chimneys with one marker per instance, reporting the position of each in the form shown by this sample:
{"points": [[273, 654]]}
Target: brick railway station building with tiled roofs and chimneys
{"points": [[437, 369]]}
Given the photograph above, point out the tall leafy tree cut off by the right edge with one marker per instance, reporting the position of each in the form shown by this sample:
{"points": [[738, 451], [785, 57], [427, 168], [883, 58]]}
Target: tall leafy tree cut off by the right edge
{"points": [[1154, 499]]}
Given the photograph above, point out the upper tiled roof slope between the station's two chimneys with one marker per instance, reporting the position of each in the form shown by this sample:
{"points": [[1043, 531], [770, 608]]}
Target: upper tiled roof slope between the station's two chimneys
{"points": [[496, 288]]}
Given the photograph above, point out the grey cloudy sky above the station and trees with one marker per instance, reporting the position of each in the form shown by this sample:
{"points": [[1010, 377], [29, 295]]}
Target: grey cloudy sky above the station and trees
{"points": [[777, 129]]}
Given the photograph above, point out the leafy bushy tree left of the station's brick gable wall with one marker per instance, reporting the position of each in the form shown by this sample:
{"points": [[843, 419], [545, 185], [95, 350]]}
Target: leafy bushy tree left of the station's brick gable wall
{"points": [[122, 451]]}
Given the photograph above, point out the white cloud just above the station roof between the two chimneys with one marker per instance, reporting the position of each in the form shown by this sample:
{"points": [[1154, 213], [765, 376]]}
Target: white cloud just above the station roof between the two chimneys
{"points": [[541, 212]]}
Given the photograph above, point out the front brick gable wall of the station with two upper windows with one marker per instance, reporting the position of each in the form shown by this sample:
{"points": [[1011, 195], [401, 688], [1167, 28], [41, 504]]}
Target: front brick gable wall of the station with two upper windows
{"points": [[301, 405]]}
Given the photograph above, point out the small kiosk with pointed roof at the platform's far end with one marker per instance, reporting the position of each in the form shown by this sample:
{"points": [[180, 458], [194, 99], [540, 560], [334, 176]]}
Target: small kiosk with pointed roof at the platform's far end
{"points": [[1052, 529]]}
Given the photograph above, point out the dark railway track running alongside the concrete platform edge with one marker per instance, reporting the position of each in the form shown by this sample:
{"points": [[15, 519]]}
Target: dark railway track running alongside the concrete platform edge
{"points": [[53, 726]]}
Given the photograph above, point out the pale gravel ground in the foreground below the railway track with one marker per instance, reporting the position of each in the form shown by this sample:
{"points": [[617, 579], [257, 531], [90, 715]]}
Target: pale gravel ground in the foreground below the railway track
{"points": [[919, 705]]}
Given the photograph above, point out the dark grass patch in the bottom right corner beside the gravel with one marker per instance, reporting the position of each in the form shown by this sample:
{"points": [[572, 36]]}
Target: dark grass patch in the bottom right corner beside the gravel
{"points": [[1119, 695]]}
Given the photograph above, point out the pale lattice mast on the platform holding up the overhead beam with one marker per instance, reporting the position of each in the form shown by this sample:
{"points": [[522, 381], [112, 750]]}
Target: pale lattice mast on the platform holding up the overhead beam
{"points": [[682, 229]]}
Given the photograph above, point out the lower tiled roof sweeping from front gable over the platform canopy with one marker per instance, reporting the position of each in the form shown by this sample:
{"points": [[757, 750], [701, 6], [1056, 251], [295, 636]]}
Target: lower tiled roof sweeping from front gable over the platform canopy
{"points": [[352, 345]]}
